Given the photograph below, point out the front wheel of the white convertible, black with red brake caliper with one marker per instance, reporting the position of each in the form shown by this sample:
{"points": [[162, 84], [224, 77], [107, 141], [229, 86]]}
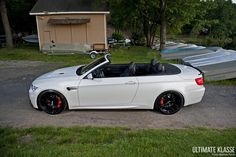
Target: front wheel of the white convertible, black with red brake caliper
{"points": [[51, 102]]}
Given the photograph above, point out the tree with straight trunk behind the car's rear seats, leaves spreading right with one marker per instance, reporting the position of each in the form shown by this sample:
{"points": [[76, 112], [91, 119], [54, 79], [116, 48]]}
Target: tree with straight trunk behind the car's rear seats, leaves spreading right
{"points": [[174, 15]]}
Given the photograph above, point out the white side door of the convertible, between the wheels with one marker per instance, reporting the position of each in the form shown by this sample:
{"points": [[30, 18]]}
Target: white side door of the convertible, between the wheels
{"points": [[115, 92]]}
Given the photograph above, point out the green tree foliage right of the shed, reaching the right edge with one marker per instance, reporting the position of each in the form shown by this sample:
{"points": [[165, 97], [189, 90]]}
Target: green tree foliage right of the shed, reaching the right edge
{"points": [[213, 18]]}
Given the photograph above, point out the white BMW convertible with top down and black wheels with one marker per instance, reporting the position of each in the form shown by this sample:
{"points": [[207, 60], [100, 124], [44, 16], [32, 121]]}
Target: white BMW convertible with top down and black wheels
{"points": [[102, 85]]}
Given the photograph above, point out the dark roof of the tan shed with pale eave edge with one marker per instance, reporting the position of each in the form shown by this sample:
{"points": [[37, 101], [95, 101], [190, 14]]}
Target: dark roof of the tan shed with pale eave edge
{"points": [[67, 7]]}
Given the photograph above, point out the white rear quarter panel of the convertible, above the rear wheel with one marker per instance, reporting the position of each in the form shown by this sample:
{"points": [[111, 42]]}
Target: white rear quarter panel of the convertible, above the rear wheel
{"points": [[150, 87]]}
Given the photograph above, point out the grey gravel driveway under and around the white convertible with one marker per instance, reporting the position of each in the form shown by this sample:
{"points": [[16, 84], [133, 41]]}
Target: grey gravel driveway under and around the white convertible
{"points": [[217, 110]]}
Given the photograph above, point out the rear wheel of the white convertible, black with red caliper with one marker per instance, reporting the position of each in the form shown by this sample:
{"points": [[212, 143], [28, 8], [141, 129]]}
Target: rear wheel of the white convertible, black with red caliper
{"points": [[169, 102]]}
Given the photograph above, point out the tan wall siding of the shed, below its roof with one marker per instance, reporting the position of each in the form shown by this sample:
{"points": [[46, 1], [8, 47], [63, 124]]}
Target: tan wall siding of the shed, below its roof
{"points": [[90, 33]]}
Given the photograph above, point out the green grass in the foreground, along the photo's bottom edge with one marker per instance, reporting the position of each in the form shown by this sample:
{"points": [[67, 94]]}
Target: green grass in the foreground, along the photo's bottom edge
{"points": [[109, 142]]}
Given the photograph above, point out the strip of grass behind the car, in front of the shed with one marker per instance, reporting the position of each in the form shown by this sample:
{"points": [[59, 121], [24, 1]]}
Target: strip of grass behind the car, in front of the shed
{"points": [[122, 55]]}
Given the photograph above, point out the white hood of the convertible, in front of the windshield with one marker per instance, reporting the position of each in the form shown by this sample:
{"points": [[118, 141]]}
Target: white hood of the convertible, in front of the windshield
{"points": [[60, 73]]}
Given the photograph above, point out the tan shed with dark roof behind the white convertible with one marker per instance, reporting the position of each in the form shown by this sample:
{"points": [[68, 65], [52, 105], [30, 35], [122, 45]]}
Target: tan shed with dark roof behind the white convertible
{"points": [[70, 25]]}
